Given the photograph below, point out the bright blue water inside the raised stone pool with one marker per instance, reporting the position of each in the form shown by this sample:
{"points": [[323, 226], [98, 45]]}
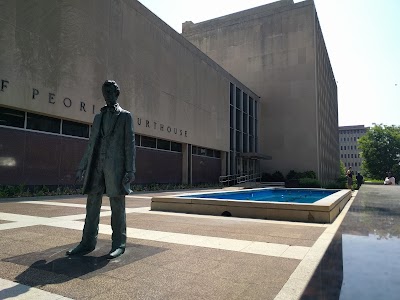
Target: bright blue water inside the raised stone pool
{"points": [[269, 195]]}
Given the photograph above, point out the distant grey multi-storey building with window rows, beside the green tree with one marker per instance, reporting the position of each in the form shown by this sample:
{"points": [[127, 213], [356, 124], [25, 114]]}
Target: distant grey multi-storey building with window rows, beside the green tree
{"points": [[349, 150]]}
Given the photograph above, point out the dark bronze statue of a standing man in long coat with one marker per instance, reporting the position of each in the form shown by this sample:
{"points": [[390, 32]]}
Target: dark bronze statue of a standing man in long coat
{"points": [[107, 167]]}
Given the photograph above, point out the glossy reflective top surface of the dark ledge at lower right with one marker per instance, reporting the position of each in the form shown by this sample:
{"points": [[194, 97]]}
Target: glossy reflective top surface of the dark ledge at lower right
{"points": [[363, 260]]}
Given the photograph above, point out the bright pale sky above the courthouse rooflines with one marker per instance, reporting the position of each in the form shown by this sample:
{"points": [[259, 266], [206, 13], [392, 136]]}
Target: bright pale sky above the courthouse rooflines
{"points": [[363, 41]]}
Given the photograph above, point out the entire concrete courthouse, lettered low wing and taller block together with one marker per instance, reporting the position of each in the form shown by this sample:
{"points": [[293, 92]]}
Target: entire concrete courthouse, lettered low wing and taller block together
{"points": [[196, 118]]}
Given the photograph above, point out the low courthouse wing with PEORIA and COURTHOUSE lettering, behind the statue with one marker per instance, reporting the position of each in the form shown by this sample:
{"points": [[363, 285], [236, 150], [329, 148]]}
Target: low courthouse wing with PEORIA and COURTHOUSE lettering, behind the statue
{"points": [[54, 58]]}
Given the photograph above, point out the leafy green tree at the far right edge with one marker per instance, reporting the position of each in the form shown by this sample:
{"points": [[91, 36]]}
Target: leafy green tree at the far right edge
{"points": [[380, 149]]}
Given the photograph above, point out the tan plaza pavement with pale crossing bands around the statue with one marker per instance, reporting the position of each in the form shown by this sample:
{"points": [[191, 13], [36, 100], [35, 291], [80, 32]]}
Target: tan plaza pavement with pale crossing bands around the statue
{"points": [[168, 256]]}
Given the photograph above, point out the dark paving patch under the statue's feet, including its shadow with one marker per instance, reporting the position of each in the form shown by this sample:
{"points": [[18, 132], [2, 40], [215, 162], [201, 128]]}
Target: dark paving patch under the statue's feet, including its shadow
{"points": [[84, 267]]}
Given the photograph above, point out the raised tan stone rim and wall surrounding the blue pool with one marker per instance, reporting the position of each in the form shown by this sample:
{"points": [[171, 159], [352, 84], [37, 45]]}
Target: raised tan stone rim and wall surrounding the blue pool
{"points": [[322, 211]]}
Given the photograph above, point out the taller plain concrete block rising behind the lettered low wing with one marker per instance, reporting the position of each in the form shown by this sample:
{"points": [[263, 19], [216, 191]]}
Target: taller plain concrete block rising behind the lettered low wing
{"points": [[278, 51]]}
